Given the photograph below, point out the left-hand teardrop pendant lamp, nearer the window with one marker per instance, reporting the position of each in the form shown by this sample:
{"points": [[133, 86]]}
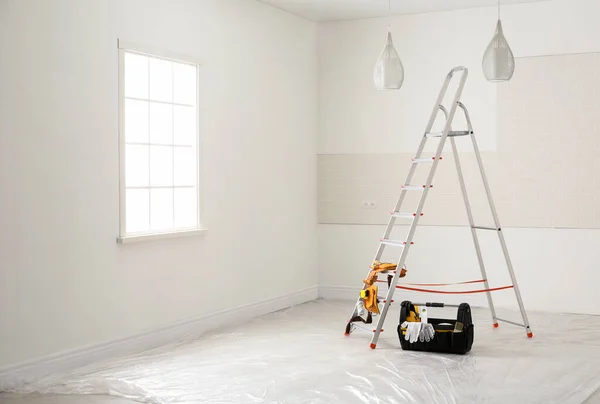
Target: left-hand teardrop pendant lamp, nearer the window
{"points": [[389, 71]]}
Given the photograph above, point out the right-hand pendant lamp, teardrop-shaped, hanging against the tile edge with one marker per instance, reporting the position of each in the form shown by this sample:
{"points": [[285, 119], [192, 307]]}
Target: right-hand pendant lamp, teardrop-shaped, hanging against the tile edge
{"points": [[498, 60]]}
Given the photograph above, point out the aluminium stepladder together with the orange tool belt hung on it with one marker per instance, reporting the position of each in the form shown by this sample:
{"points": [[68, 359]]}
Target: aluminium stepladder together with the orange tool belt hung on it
{"points": [[371, 308]]}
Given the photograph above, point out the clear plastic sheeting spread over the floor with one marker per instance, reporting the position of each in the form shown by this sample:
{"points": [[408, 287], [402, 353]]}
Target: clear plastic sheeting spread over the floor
{"points": [[300, 355]]}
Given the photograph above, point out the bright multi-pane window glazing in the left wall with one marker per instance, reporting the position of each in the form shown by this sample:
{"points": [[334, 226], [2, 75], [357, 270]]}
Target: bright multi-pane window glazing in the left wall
{"points": [[159, 145]]}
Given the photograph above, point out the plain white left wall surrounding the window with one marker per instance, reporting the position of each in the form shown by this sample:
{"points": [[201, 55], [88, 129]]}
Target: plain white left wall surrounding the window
{"points": [[64, 281]]}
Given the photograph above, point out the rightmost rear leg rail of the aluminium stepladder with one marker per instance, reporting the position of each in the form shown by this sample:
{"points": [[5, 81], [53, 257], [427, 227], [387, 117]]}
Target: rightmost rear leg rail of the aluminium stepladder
{"points": [[497, 224]]}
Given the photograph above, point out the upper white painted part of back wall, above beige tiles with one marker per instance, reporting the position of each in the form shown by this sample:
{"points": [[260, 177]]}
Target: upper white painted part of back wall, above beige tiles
{"points": [[355, 118]]}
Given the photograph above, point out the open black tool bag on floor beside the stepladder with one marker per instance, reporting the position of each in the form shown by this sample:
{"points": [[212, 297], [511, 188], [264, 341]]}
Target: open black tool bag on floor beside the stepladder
{"points": [[451, 336]]}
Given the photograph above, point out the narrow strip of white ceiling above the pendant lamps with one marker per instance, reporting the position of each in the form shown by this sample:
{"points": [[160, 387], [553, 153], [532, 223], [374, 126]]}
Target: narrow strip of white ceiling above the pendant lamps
{"points": [[333, 10]]}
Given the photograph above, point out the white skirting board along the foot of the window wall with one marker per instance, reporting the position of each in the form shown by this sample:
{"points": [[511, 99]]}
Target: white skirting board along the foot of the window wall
{"points": [[15, 376]]}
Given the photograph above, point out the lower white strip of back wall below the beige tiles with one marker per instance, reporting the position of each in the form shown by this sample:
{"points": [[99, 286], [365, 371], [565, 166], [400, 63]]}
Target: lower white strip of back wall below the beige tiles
{"points": [[554, 267]]}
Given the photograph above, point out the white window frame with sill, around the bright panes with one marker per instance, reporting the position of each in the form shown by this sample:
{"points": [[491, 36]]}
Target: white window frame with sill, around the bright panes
{"points": [[154, 235]]}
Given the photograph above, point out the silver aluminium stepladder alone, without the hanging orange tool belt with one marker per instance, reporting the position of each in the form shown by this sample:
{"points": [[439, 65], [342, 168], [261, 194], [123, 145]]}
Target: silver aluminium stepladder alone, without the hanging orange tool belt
{"points": [[396, 213]]}
